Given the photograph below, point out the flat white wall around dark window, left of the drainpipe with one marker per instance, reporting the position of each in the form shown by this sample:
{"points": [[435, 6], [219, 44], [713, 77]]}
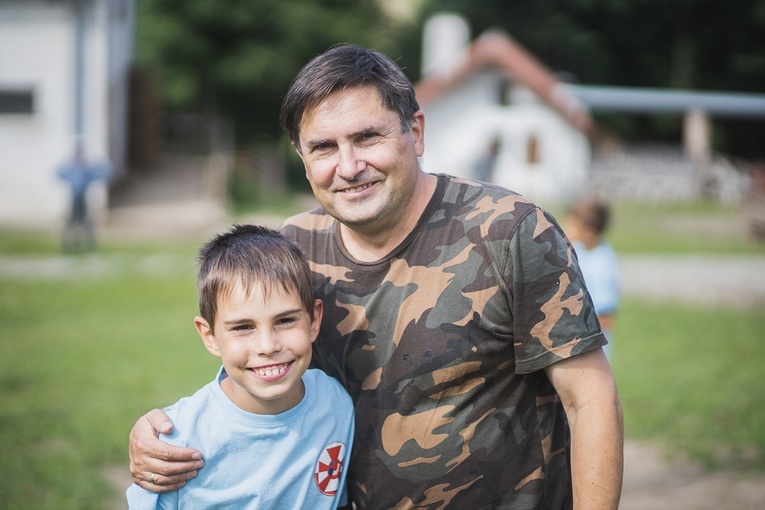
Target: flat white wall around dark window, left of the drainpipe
{"points": [[36, 46]]}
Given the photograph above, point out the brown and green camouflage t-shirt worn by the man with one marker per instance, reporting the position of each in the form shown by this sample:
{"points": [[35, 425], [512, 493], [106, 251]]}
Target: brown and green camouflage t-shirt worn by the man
{"points": [[442, 345]]}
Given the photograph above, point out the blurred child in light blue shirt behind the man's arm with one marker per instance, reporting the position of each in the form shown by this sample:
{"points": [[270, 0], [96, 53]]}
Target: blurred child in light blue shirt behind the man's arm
{"points": [[585, 225]]}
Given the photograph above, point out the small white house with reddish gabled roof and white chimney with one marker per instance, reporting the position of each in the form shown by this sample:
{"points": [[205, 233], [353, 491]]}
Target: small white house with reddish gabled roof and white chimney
{"points": [[492, 89]]}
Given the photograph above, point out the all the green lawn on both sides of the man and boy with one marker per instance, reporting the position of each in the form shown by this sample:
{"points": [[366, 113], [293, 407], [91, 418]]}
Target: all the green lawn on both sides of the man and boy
{"points": [[87, 348]]}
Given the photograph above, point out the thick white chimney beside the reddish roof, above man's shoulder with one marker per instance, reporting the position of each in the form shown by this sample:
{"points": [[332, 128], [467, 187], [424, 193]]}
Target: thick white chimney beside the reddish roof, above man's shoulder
{"points": [[445, 38]]}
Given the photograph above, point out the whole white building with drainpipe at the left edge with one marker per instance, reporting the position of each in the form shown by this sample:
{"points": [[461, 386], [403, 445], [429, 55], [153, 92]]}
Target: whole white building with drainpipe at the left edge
{"points": [[64, 74]]}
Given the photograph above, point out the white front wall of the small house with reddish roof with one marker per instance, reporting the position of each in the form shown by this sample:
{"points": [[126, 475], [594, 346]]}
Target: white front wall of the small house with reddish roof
{"points": [[460, 125]]}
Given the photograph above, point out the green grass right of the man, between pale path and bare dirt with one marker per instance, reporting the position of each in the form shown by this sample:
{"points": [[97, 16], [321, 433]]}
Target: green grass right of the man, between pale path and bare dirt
{"points": [[691, 378]]}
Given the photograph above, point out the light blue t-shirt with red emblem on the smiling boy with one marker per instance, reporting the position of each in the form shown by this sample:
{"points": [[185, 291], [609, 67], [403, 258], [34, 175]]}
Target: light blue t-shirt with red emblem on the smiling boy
{"points": [[295, 459]]}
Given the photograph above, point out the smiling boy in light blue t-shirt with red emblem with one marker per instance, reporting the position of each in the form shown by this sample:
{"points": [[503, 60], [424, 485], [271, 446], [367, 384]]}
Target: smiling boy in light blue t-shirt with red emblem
{"points": [[273, 434]]}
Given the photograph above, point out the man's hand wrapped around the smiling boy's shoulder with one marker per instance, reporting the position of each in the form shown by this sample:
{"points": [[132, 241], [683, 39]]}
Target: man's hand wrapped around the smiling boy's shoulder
{"points": [[155, 465]]}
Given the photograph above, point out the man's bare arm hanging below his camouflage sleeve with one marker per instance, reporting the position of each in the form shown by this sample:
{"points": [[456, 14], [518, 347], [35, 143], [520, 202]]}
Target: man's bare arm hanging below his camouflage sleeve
{"points": [[587, 390]]}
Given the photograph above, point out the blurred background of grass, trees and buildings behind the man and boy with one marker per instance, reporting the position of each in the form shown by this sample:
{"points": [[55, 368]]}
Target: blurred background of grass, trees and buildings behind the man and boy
{"points": [[130, 130]]}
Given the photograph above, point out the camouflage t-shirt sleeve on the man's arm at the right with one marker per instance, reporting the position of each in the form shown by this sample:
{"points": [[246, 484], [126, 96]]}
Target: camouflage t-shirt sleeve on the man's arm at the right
{"points": [[553, 314]]}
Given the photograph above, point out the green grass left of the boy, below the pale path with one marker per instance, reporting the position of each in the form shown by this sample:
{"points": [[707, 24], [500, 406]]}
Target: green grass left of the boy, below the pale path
{"points": [[80, 360]]}
